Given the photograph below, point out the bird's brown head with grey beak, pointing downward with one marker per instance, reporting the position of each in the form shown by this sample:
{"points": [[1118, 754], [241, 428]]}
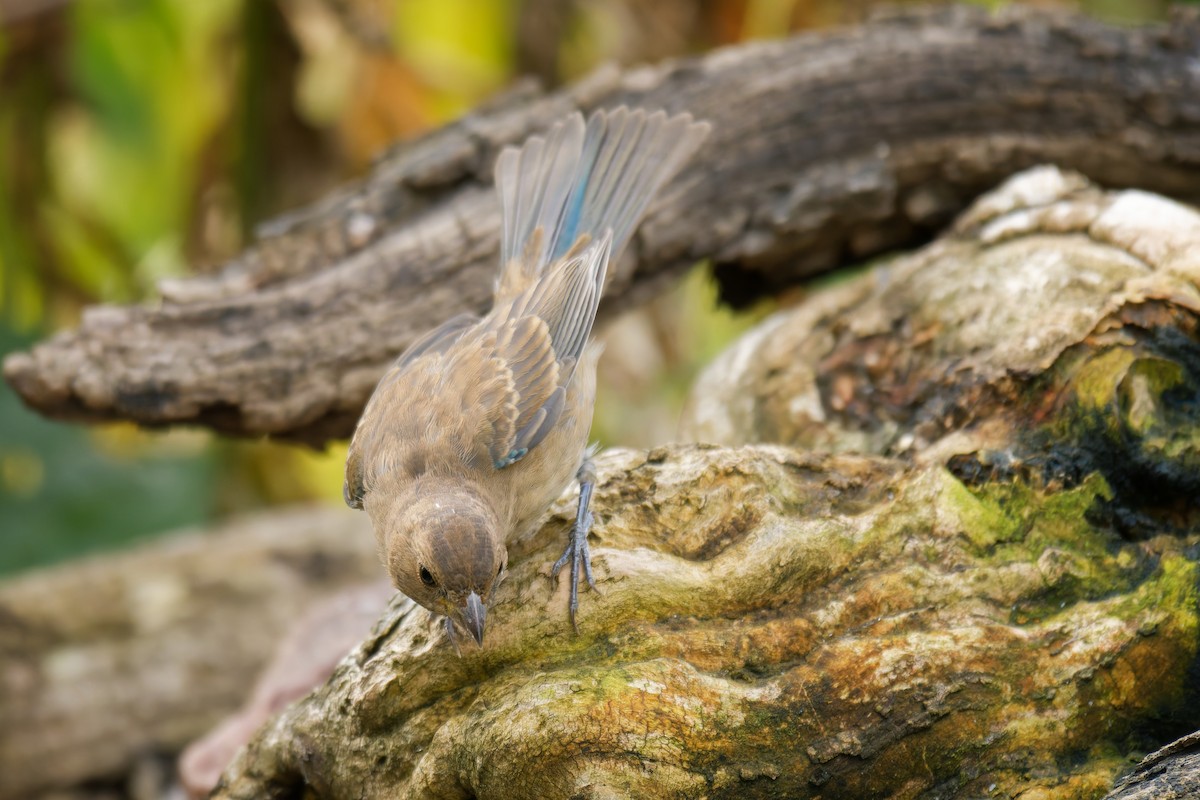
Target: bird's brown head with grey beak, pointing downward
{"points": [[443, 548]]}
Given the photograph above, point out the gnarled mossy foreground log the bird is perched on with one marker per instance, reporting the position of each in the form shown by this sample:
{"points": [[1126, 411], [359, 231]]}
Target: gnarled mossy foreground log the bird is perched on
{"points": [[773, 625]]}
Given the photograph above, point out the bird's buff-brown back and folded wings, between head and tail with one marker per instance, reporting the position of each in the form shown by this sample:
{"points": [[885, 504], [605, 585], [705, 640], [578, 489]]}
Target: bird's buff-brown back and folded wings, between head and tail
{"points": [[482, 393]]}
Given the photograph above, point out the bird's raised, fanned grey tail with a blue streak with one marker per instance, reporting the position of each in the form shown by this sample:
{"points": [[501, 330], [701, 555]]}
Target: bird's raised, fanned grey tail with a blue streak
{"points": [[584, 179]]}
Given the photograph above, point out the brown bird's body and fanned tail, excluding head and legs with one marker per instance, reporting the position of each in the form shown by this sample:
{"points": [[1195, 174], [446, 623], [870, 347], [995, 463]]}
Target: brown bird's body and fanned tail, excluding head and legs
{"points": [[506, 401]]}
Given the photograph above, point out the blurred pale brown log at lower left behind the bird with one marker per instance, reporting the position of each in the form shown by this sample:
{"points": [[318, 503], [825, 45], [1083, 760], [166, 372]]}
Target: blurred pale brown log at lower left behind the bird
{"points": [[115, 658]]}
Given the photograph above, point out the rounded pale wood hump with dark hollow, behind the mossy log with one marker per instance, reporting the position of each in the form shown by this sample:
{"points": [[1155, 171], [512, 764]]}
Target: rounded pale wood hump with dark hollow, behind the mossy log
{"points": [[1054, 330]]}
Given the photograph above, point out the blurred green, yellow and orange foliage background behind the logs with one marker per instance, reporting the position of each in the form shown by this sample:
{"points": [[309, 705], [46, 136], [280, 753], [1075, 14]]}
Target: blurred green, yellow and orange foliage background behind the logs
{"points": [[142, 140]]}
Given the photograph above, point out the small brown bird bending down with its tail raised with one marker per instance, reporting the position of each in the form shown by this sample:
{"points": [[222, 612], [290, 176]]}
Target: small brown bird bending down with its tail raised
{"points": [[482, 424]]}
